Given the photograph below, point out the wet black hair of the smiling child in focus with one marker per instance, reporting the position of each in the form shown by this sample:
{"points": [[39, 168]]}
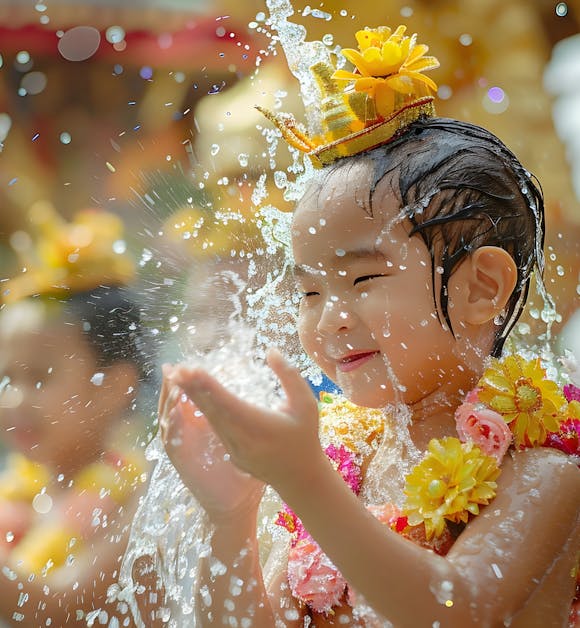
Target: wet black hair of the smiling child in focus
{"points": [[461, 188]]}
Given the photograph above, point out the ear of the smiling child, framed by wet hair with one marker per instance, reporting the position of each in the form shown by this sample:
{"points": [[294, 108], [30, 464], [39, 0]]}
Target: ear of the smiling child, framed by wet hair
{"points": [[482, 284]]}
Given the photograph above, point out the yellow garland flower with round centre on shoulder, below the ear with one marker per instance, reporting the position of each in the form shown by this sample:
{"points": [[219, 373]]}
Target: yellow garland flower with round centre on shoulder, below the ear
{"points": [[529, 403]]}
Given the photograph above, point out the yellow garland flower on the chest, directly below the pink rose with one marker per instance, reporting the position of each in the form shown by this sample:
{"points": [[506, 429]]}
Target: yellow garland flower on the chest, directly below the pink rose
{"points": [[451, 482]]}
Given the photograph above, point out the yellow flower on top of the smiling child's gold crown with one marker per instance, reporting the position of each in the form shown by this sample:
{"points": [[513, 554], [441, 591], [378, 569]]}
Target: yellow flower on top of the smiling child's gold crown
{"points": [[387, 64]]}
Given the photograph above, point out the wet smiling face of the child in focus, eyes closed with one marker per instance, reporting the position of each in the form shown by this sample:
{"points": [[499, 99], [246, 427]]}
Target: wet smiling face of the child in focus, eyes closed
{"points": [[367, 316]]}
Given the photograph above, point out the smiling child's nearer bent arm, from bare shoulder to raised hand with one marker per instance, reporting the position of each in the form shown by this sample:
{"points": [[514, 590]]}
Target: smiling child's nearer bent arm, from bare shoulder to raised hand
{"points": [[399, 579]]}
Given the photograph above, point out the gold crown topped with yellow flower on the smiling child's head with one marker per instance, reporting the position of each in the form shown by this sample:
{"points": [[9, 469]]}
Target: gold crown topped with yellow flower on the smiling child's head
{"points": [[386, 92]]}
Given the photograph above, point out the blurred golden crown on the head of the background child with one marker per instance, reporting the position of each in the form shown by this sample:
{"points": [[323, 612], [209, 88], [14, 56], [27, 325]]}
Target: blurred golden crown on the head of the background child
{"points": [[68, 257]]}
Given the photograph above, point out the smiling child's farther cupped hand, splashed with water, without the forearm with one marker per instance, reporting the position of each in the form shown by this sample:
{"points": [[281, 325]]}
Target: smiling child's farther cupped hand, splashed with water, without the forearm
{"points": [[201, 459]]}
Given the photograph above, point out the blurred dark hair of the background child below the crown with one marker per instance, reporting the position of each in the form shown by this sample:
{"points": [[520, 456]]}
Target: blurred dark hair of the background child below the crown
{"points": [[110, 320]]}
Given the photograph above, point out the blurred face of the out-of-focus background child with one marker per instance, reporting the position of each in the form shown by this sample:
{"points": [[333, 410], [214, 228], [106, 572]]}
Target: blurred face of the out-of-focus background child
{"points": [[50, 408]]}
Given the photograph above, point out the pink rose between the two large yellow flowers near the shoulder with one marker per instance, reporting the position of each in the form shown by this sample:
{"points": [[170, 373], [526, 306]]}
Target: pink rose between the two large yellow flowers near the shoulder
{"points": [[485, 428]]}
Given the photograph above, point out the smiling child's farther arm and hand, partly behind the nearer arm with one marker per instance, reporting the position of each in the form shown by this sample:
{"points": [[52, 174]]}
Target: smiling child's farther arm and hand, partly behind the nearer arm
{"points": [[230, 580]]}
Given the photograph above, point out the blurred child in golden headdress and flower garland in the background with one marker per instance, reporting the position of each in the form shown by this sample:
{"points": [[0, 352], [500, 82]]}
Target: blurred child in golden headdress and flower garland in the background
{"points": [[70, 367]]}
